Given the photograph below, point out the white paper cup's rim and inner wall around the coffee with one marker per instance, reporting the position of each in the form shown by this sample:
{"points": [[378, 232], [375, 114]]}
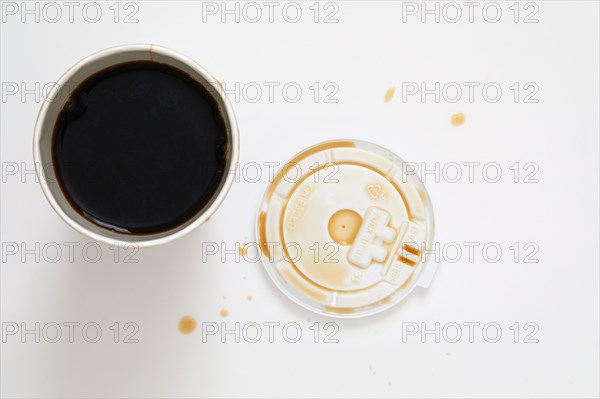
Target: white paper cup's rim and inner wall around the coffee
{"points": [[44, 131]]}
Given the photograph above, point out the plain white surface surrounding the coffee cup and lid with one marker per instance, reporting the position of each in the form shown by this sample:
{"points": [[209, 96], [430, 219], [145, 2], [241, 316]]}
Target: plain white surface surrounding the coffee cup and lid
{"points": [[369, 50]]}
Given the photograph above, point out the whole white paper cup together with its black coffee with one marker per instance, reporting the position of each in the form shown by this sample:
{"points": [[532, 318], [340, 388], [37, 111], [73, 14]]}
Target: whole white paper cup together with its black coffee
{"points": [[154, 166]]}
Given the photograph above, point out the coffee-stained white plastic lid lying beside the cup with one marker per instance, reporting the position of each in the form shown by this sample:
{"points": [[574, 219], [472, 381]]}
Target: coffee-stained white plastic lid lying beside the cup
{"points": [[343, 228]]}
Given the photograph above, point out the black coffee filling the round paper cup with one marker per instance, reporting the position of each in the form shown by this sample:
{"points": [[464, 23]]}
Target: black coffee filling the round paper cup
{"points": [[140, 148]]}
